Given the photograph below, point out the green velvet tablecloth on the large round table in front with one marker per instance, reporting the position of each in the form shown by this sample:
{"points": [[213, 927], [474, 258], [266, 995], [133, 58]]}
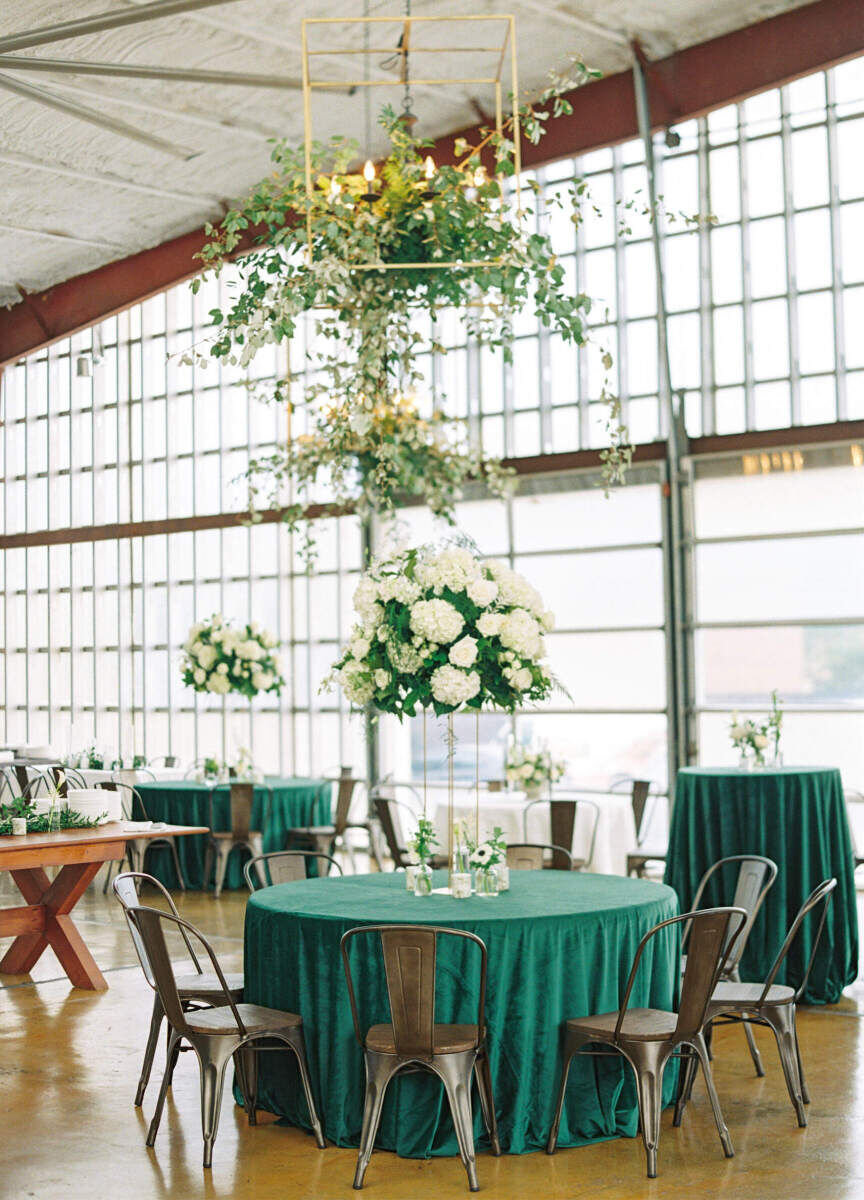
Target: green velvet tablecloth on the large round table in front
{"points": [[560, 946]]}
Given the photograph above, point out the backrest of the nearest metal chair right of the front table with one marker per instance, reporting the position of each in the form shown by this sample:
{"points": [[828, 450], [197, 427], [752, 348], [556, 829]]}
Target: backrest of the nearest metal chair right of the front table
{"points": [[710, 945]]}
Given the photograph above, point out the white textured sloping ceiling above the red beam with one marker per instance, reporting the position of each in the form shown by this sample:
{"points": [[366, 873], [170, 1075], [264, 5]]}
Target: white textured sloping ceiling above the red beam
{"points": [[75, 196]]}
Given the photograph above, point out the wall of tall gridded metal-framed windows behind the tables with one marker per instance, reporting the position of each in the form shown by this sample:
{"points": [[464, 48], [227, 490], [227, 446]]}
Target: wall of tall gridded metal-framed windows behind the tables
{"points": [[109, 427]]}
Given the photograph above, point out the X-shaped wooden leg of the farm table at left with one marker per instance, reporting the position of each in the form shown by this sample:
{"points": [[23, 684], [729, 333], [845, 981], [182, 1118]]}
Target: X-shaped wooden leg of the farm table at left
{"points": [[45, 921]]}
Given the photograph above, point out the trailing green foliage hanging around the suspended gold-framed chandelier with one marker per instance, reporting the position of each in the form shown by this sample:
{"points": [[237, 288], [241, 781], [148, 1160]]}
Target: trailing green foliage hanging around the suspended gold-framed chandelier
{"points": [[340, 250]]}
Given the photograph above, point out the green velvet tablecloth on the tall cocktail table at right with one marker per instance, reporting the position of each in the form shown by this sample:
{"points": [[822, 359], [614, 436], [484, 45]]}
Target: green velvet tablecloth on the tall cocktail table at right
{"points": [[797, 817]]}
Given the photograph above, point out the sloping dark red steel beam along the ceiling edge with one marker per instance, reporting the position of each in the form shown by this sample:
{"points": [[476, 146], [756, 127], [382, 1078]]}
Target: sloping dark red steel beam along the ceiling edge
{"points": [[687, 85]]}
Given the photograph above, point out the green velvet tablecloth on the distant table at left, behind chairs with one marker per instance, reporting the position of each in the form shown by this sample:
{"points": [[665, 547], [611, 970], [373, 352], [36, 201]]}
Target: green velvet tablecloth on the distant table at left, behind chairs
{"points": [[295, 802]]}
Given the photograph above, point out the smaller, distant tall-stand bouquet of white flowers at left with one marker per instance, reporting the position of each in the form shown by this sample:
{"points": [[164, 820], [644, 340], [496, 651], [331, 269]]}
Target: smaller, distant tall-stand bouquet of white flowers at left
{"points": [[220, 658]]}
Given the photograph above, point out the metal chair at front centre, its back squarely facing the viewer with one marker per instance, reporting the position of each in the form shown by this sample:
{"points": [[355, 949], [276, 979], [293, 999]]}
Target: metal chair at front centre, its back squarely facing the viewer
{"points": [[413, 1040]]}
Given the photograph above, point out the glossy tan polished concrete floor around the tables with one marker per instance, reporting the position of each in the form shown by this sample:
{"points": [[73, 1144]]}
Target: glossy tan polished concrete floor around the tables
{"points": [[69, 1131]]}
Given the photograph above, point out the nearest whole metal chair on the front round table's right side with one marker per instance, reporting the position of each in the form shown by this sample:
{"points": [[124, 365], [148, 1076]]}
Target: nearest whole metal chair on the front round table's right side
{"points": [[650, 1037]]}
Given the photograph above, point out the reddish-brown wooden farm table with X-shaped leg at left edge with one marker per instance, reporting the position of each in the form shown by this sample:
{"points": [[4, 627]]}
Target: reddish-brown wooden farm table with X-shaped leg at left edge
{"points": [[45, 920]]}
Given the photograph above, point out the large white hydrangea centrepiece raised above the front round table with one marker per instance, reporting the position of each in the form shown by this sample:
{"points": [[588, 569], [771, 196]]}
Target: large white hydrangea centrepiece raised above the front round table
{"points": [[445, 631]]}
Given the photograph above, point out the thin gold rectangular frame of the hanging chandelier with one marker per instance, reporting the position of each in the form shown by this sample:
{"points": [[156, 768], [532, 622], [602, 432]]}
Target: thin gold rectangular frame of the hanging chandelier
{"points": [[310, 85]]}
